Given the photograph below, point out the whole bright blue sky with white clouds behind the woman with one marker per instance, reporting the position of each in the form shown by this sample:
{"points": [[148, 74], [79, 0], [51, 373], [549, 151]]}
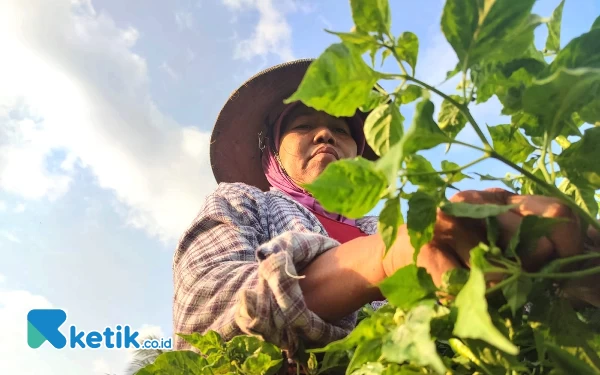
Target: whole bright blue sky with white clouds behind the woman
{"points": [[106, 109]]}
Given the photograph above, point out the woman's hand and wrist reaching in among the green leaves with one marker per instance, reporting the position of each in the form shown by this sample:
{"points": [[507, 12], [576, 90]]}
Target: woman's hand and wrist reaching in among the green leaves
{"points": [[455, 237]]}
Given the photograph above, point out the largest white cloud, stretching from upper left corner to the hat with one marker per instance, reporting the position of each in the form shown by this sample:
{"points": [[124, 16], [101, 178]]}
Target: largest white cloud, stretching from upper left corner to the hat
{"points": [[71, 83]]}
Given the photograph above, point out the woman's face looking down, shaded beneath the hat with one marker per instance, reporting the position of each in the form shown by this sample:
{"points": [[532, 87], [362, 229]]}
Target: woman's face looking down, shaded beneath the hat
{"points": [[310, 140]]}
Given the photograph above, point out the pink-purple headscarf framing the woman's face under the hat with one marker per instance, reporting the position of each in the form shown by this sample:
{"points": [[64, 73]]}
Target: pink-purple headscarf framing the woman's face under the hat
{"points": [[279, 179]]}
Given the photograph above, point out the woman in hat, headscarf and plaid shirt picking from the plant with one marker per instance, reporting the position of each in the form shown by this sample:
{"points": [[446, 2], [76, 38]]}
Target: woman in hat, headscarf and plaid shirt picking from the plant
{"points": [[264, 258]]}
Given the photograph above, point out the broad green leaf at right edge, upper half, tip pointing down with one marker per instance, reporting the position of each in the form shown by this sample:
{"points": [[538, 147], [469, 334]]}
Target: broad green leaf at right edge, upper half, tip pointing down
{"points": [[554, 99]]}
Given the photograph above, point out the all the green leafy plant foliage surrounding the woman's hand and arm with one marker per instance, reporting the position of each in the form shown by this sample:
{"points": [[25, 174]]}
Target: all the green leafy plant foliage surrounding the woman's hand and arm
{"points": [[521, 325]]}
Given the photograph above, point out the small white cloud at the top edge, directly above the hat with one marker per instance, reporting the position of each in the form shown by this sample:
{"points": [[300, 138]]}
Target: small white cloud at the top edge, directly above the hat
{"points": [[272, 34]]}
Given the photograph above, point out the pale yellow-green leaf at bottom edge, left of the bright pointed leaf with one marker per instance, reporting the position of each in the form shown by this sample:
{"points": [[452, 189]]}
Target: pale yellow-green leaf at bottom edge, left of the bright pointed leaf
{"points": [[412, 342]]}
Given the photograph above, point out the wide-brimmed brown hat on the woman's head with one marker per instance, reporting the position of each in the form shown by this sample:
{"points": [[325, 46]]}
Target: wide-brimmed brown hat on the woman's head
{"points": [[235, 152]]}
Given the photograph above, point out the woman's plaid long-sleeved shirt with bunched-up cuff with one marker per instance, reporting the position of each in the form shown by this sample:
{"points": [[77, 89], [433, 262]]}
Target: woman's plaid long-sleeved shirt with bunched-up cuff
{"points": [[234, 269]]}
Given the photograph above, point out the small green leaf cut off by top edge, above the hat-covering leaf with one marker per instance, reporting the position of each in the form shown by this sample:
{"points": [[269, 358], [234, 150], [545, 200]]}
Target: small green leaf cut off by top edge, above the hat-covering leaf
{"points": [[371, 16]]}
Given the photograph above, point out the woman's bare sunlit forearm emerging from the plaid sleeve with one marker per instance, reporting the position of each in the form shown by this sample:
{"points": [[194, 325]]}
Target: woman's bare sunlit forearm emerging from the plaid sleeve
{"points": [[345, 278]]}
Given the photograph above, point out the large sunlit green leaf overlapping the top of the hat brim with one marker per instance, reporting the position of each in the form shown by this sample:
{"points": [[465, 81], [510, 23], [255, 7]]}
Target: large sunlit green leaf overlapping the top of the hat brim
{"points": [[337, 82]]}
